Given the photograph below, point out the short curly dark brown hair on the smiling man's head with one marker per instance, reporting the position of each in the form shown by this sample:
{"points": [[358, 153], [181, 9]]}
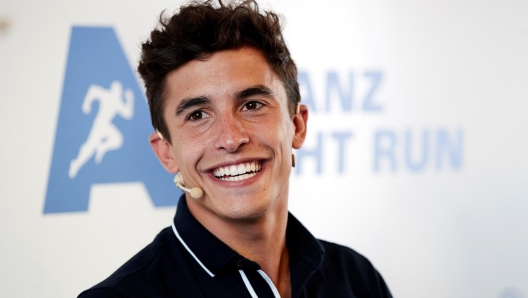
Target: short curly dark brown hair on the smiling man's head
{"points": [[200, 29]]}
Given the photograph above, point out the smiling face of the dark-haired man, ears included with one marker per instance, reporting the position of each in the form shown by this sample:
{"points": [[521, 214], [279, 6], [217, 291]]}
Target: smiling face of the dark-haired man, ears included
{"points": [[232, 134]]}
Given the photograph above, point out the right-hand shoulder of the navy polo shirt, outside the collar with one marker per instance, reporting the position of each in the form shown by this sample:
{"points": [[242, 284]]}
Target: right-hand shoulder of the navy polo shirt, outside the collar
{"points": [[347, 273]]}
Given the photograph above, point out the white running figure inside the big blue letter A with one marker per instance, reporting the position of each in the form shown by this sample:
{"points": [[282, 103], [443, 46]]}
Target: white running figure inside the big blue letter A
{"points": [[104, 135]]}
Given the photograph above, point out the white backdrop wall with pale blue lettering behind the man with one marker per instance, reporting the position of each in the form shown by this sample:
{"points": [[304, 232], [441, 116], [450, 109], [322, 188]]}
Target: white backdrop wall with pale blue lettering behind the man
{"points": [[416, 154]]}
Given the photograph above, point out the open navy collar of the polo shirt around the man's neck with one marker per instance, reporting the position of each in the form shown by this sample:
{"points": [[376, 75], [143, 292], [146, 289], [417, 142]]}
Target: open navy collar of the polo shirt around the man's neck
{"points": [[306, 252]]}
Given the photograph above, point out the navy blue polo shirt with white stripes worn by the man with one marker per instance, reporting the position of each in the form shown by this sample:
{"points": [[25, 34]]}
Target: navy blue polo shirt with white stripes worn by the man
{"points": [[186, 260]]}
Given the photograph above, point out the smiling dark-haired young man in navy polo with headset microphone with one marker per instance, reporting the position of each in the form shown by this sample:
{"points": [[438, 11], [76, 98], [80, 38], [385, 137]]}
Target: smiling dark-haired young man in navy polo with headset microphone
{"points": [[224, 101]]}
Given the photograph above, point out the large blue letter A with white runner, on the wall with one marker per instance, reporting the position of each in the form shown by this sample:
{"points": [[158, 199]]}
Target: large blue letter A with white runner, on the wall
{"points": [[103, 128]]}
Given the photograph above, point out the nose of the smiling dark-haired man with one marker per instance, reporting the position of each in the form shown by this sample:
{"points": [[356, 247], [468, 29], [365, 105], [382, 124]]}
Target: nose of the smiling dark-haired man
{"points": [[231, 134]]}
